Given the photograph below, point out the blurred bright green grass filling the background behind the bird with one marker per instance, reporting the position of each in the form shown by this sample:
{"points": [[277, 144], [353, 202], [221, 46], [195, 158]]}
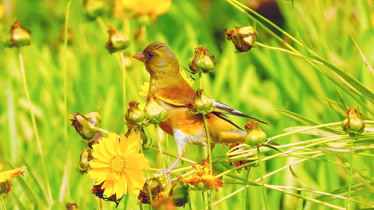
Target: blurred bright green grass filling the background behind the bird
{"points": [[259, 83]]}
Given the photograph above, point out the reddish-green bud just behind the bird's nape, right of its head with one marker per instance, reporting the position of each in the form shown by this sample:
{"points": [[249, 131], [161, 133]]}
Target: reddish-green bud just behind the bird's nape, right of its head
{"points": [[202, 61]]}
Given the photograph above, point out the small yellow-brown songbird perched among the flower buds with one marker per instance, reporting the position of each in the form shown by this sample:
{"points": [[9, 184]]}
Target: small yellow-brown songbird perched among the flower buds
{"points": [[172, 92]]}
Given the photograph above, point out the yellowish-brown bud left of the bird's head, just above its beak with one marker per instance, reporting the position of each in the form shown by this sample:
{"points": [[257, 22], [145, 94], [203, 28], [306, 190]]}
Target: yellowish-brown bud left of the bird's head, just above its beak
{"points": [[117, 40]]}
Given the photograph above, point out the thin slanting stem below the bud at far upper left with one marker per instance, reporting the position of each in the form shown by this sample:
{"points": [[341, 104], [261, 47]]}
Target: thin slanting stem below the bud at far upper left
{"points": [[34, 126]]}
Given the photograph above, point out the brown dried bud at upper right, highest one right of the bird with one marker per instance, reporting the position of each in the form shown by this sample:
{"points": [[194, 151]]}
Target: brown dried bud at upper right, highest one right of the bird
{"points": [[244, 38]]}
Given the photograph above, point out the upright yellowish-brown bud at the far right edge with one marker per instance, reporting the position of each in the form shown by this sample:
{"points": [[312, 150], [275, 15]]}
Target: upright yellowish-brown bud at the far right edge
{"points": [[353, 124]]}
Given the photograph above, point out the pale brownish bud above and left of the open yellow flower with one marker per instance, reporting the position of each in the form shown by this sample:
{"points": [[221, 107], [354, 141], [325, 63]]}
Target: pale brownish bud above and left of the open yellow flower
{"points": [[86, 125]]}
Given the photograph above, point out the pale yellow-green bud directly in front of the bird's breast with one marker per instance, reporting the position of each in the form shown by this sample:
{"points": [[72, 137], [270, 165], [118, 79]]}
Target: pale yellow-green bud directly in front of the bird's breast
{"points": [[154, 112]]}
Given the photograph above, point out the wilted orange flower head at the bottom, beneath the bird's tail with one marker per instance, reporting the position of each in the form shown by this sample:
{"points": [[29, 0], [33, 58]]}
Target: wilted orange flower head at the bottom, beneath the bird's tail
{"points": [[203, 179]]}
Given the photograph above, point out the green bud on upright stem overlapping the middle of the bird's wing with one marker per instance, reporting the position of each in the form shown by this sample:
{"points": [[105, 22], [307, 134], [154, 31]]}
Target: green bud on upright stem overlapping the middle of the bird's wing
{"points": [[202, 104]]}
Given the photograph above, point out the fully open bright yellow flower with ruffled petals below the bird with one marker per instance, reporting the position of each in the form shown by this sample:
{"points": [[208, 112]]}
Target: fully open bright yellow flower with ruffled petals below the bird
{"points": [[117, 165]]}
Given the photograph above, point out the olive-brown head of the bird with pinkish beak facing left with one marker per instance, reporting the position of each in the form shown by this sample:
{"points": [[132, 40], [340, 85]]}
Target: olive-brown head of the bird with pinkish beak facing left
{"points": [[158, 59]]}
